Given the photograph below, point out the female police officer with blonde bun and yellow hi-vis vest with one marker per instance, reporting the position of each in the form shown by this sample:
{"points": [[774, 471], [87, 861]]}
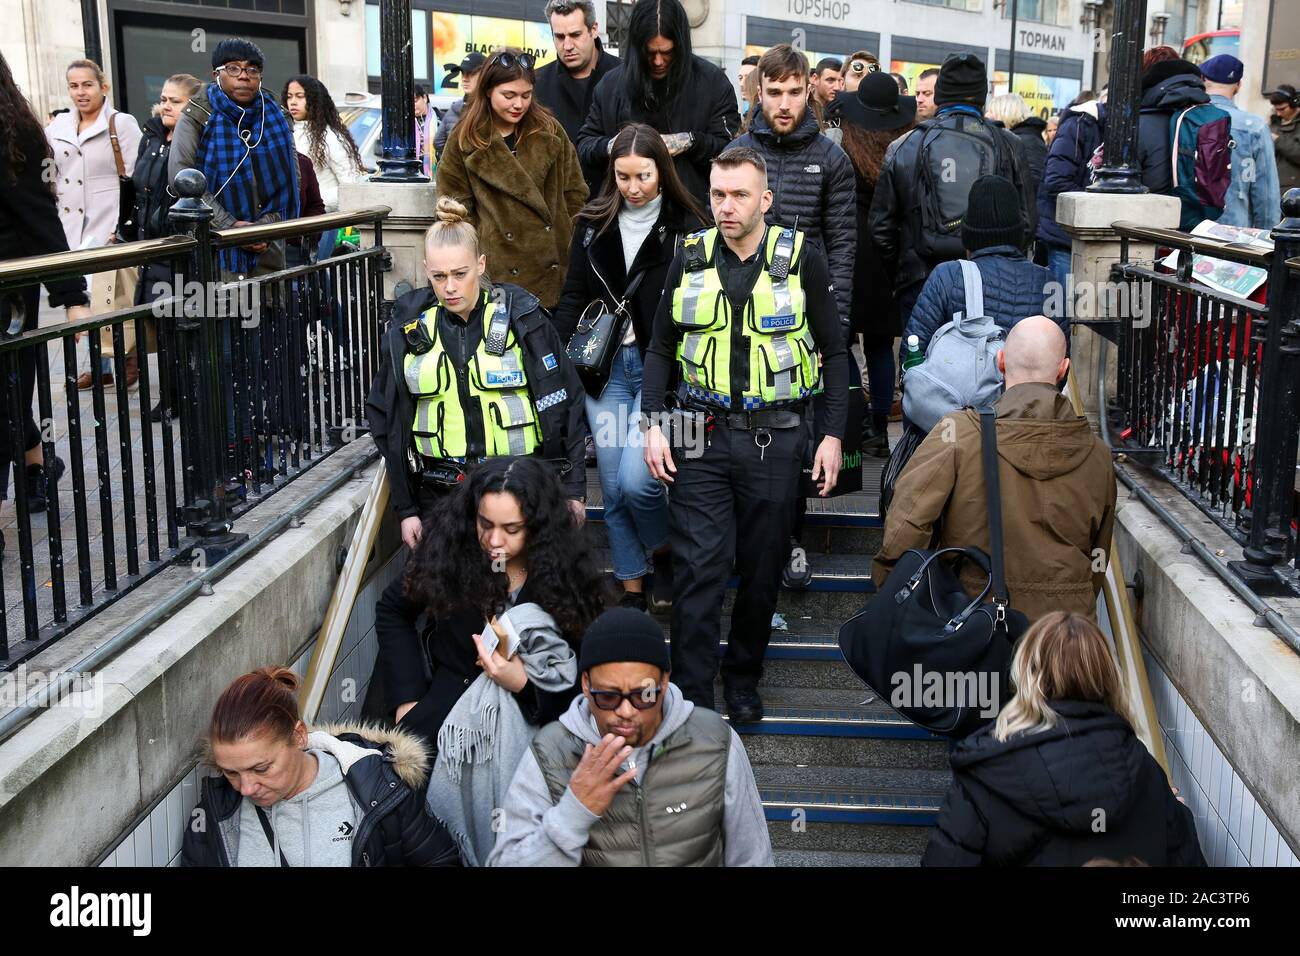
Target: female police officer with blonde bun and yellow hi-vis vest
{"points": [[471, 370]]}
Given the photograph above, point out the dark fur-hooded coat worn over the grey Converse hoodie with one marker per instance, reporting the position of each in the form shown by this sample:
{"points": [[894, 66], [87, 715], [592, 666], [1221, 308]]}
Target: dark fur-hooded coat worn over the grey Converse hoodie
{"points": [[385, 772]]}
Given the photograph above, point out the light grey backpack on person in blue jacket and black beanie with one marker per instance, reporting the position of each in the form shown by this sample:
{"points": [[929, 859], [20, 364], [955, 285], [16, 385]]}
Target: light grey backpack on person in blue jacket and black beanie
{"points": [[961, 362]]}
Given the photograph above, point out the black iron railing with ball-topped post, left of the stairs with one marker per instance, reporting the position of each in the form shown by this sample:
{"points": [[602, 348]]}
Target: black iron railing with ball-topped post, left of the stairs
{"points": [[262, 379]]}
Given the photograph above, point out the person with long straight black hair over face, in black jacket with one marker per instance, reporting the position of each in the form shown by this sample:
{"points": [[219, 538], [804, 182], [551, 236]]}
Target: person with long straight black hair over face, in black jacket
{"points": [[664, 85]]}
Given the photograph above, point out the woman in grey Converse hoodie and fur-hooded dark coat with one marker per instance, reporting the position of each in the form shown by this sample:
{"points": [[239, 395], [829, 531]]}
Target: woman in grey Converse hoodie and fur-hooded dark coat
{"points": [[289, 795]]}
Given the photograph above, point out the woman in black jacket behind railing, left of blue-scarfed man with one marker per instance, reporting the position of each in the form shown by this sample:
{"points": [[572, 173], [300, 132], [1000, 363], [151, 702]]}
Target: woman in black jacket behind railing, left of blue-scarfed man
{"points": [[148, 219]]}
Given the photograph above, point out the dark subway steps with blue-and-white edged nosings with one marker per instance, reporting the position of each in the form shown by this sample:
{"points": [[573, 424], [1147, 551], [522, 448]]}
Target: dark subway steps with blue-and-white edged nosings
{"points": [[844, 780]]}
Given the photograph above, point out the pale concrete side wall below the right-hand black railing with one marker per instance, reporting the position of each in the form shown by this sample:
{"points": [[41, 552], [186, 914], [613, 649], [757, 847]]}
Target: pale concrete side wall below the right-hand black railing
{"points": [[1228, 691]]}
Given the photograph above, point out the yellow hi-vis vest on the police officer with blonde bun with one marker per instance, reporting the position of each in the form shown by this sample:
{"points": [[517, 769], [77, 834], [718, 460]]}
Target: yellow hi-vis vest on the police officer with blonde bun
{"points": [[496, 383]]}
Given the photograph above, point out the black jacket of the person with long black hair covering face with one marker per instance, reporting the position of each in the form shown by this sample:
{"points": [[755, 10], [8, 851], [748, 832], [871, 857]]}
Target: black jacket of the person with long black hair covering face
{"points": [[707, 106]]}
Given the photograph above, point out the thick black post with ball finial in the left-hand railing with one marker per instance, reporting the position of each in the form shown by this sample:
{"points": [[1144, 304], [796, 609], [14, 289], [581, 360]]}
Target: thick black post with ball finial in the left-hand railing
{"points": [[200, 380]]}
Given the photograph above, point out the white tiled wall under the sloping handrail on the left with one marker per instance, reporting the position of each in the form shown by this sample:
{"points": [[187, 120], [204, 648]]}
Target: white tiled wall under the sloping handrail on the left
{"points": [[157, 842]]}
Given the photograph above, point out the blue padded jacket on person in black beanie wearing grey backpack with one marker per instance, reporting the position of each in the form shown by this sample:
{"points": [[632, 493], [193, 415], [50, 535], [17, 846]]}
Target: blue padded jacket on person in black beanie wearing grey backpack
{"points": [[1015, 289]]}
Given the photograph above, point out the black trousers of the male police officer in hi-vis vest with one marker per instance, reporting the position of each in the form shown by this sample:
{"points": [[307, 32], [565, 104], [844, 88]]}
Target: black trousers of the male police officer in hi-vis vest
{"points": [[731, 504]]}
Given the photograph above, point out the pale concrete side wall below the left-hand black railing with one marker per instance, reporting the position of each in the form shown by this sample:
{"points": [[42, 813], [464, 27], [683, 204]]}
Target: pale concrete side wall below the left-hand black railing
{"points": [[76, 778]]}
